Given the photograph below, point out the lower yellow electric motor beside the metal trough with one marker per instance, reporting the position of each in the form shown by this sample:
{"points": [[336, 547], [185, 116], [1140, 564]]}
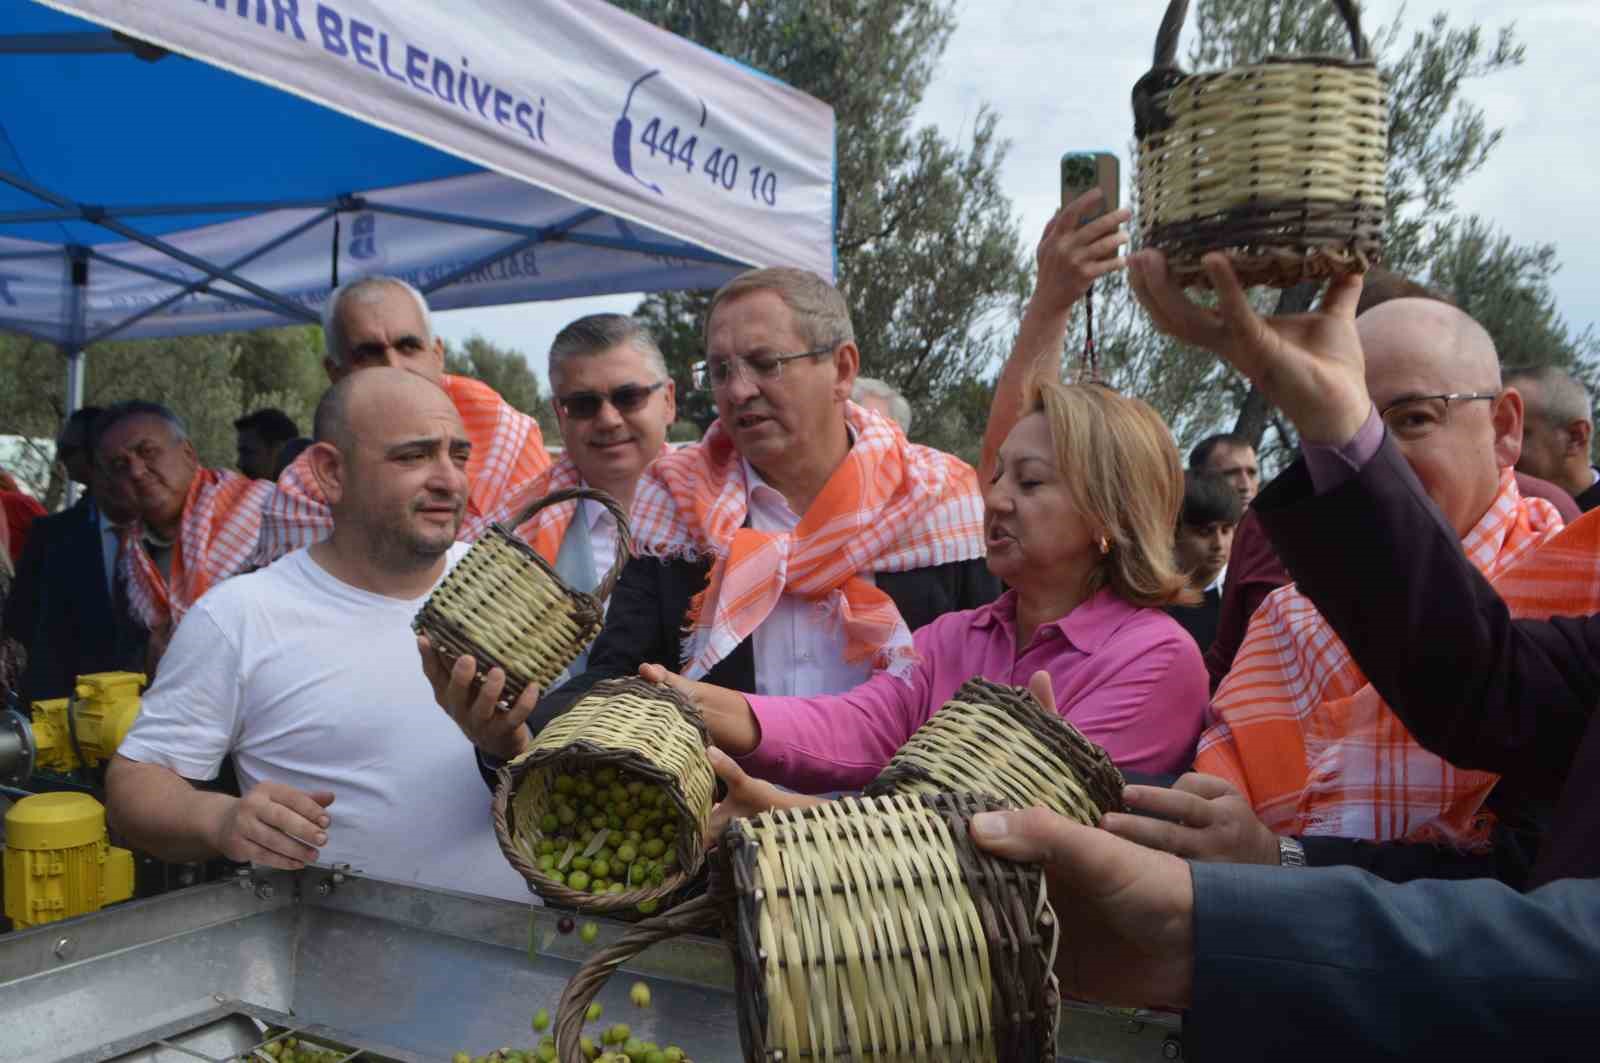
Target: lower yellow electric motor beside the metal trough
{"points": [[58, 860]]}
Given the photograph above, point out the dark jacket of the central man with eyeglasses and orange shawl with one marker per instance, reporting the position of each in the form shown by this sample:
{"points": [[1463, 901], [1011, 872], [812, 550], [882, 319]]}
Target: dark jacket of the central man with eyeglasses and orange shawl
{"points": [[652, 598]]}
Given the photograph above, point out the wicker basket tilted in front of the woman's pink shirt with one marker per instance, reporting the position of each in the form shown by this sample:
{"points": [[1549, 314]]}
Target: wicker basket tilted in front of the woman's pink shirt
{"points": [[1001, 742]]}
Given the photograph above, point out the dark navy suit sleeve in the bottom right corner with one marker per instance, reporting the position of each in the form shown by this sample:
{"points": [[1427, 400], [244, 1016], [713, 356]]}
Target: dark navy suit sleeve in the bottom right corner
{"points": [[1334, 965]]}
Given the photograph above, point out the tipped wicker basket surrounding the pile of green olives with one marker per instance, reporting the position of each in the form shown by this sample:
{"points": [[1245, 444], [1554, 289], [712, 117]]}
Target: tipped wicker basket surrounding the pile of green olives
{"points": [[647, 732]]}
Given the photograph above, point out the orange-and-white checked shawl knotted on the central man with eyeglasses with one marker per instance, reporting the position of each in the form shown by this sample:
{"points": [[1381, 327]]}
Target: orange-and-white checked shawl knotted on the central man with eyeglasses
{"points": [[890, 507]]}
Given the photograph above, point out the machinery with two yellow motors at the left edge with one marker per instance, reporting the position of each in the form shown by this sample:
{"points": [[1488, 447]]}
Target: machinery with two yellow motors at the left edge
{"points": [[58, 860]]}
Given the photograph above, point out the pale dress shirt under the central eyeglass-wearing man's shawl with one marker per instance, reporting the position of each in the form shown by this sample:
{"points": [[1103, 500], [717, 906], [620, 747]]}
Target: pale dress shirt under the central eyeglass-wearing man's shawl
{"points": [[799, 651]]}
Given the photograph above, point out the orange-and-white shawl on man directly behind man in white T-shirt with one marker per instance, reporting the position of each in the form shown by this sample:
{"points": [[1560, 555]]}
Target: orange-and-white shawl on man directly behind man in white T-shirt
{"points": [[508, 451]]}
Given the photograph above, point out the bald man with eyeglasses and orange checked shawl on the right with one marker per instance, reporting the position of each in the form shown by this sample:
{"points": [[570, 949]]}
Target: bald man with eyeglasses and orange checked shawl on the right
{"points": [[1298, 731]]}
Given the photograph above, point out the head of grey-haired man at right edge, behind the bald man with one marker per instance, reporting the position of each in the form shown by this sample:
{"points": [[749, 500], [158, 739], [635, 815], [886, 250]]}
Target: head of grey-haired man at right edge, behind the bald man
{"points": [[1558, 433]]}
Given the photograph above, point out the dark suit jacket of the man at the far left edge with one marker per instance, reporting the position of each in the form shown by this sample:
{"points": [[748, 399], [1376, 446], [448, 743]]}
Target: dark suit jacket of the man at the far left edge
{"points": [[62, 609]]}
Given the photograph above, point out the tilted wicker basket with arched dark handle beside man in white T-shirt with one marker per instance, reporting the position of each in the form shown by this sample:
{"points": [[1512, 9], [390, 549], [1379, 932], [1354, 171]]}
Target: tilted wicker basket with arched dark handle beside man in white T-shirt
{"points": [[506, 608]]}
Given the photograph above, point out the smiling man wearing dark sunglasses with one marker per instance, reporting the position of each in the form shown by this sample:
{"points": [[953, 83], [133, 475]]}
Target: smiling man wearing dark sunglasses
{"points": [[615, 404]]}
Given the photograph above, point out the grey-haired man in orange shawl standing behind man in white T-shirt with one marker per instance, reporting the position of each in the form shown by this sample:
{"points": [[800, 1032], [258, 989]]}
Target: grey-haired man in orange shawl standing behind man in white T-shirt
{"points": [[385, 321]]}
